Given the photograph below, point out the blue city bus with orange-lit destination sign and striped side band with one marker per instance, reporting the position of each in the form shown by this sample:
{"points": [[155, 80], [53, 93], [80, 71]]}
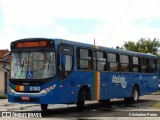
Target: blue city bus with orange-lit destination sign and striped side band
{"points": [[57, 71]]}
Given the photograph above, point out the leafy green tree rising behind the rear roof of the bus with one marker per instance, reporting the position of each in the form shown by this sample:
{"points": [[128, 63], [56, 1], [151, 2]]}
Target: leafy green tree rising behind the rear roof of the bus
{"points": [[143, 45]]}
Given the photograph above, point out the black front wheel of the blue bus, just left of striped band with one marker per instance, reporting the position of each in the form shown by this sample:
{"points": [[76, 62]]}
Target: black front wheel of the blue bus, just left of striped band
{"points": [[81, 100]]}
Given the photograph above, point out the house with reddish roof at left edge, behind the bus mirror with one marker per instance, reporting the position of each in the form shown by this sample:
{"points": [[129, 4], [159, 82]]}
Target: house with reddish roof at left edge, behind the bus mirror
{"points": [[2, 74]]}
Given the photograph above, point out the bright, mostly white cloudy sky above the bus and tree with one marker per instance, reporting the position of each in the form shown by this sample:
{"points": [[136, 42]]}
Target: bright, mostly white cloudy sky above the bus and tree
{"points": [[109, 22]]}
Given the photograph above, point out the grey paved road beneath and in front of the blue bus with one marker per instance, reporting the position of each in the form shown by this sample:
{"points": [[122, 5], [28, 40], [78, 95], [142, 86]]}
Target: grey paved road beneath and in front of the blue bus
{"points": [[95, 110]]}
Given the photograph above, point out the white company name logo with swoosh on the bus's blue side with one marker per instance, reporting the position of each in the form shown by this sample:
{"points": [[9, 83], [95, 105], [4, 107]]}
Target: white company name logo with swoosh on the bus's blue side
{"points": [[120, 80]]}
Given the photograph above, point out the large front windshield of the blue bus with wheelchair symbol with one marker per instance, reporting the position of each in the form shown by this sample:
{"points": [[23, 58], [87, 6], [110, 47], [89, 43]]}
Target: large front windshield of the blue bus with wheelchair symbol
{"points": [[32, 65]]}
